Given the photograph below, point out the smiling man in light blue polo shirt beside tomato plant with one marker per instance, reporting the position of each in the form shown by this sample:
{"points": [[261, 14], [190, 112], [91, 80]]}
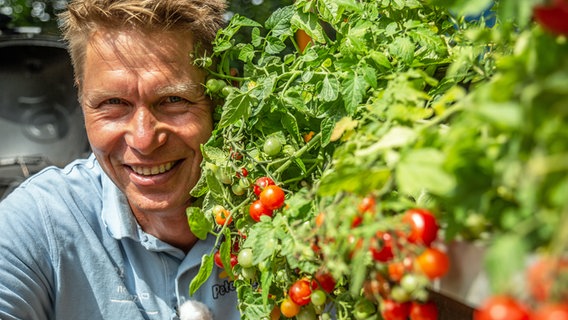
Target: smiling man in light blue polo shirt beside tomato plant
{"points": [[107, 237]]}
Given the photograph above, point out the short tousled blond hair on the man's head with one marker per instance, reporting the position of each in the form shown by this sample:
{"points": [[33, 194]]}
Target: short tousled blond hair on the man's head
{"points": [[84, 17]]}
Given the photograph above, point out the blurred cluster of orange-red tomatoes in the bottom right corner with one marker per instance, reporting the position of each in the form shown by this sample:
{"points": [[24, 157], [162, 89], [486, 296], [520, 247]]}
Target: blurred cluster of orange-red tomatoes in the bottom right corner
{"points": [[547, 297]]}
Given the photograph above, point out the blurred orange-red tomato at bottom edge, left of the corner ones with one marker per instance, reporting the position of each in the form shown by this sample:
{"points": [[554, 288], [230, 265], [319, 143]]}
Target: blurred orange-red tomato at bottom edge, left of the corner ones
{"points": [[501, 307]]}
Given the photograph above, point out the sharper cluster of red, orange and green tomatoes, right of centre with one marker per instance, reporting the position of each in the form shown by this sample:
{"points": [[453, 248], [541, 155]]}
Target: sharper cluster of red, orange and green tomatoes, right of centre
{"points": [[406, 261]]}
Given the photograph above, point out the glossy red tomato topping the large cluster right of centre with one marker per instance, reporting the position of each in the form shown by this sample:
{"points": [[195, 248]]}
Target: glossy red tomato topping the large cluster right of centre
{"points": [[423, 226]]}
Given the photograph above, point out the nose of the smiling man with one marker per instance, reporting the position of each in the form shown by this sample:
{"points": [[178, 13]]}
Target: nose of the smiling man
{"points": [[144, 132]]}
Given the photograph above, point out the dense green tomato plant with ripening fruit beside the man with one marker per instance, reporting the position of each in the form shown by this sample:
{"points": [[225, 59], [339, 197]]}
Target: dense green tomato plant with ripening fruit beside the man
{"points": [[402, 126]]}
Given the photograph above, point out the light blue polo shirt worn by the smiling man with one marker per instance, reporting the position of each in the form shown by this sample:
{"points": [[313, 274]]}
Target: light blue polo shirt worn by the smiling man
{"points": [[71, 249]]}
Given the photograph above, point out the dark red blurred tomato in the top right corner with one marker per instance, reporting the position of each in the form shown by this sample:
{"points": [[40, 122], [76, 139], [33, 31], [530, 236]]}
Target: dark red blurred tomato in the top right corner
{"points": [[553, 17]]}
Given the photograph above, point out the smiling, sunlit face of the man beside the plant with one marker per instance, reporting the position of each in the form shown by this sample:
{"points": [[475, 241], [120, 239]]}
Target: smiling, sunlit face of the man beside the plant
{"points": [[146, 115]]}
